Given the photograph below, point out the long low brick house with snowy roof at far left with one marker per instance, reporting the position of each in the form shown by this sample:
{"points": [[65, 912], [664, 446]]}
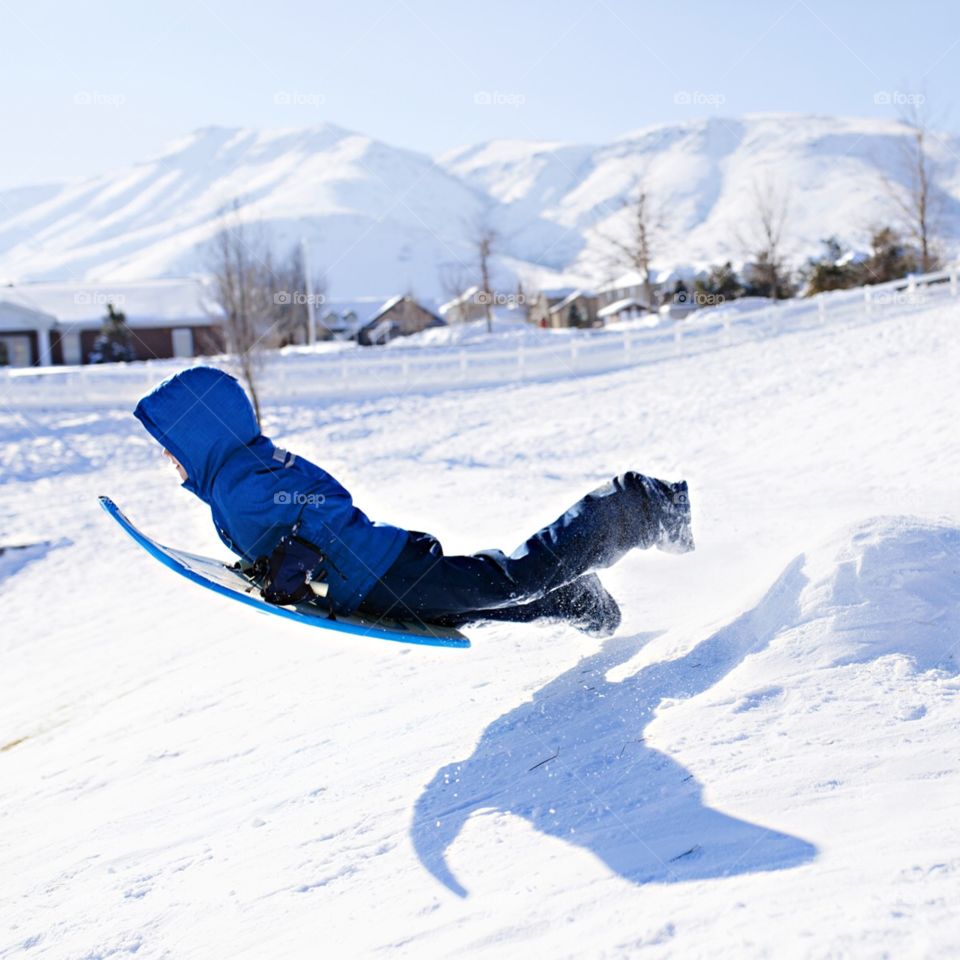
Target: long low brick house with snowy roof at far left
{"points": [[60, 321]]}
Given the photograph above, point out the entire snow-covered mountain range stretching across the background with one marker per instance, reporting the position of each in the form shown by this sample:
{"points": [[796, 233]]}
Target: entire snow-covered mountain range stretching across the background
{"points": [[381, 218]]}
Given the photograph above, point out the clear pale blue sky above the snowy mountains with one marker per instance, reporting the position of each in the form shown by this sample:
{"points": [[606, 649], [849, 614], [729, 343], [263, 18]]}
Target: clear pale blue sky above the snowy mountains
{"points": [[90, 86]]}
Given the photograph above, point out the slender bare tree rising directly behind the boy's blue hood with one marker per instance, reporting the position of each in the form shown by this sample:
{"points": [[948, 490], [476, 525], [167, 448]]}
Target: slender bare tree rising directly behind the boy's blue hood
{"points": [[240, 264]]}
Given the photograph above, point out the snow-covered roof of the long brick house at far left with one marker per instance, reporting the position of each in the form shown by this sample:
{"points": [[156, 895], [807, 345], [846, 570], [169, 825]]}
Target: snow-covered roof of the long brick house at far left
{"points": [[146, 303]]}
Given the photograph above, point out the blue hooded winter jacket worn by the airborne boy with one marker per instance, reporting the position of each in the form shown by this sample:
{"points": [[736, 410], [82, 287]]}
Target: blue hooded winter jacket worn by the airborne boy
{"points": [[258, 491]]}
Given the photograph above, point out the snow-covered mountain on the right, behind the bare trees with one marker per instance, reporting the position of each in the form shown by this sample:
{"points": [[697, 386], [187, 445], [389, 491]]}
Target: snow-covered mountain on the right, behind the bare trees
{"points": [[700, 177]]}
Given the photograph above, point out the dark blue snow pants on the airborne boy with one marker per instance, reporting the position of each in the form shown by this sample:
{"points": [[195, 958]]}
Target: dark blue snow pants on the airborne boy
{"points": [[540, 578]]}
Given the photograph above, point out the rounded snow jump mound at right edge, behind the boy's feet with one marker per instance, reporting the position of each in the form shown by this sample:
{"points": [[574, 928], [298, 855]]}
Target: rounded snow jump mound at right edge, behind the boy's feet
{"points": [[885, 586]]}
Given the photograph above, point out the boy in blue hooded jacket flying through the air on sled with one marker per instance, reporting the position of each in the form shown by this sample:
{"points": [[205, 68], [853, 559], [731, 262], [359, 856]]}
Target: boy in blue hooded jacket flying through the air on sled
{"points": [[299, 526]]}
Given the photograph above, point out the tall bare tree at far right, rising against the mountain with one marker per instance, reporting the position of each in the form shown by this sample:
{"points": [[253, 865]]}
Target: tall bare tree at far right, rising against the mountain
{"points": [[918, 199]]}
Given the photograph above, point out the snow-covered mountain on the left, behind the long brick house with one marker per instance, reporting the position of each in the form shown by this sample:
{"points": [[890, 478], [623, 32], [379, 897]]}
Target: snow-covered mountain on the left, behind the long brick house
{"points": [[370, 210]]}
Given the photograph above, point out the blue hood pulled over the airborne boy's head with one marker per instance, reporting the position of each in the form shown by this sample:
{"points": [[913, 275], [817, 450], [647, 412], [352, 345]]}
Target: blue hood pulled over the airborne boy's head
{"points": [[201, 416]]}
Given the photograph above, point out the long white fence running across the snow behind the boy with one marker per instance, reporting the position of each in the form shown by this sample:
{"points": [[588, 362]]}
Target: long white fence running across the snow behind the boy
{"points": [[354, 372]]}
